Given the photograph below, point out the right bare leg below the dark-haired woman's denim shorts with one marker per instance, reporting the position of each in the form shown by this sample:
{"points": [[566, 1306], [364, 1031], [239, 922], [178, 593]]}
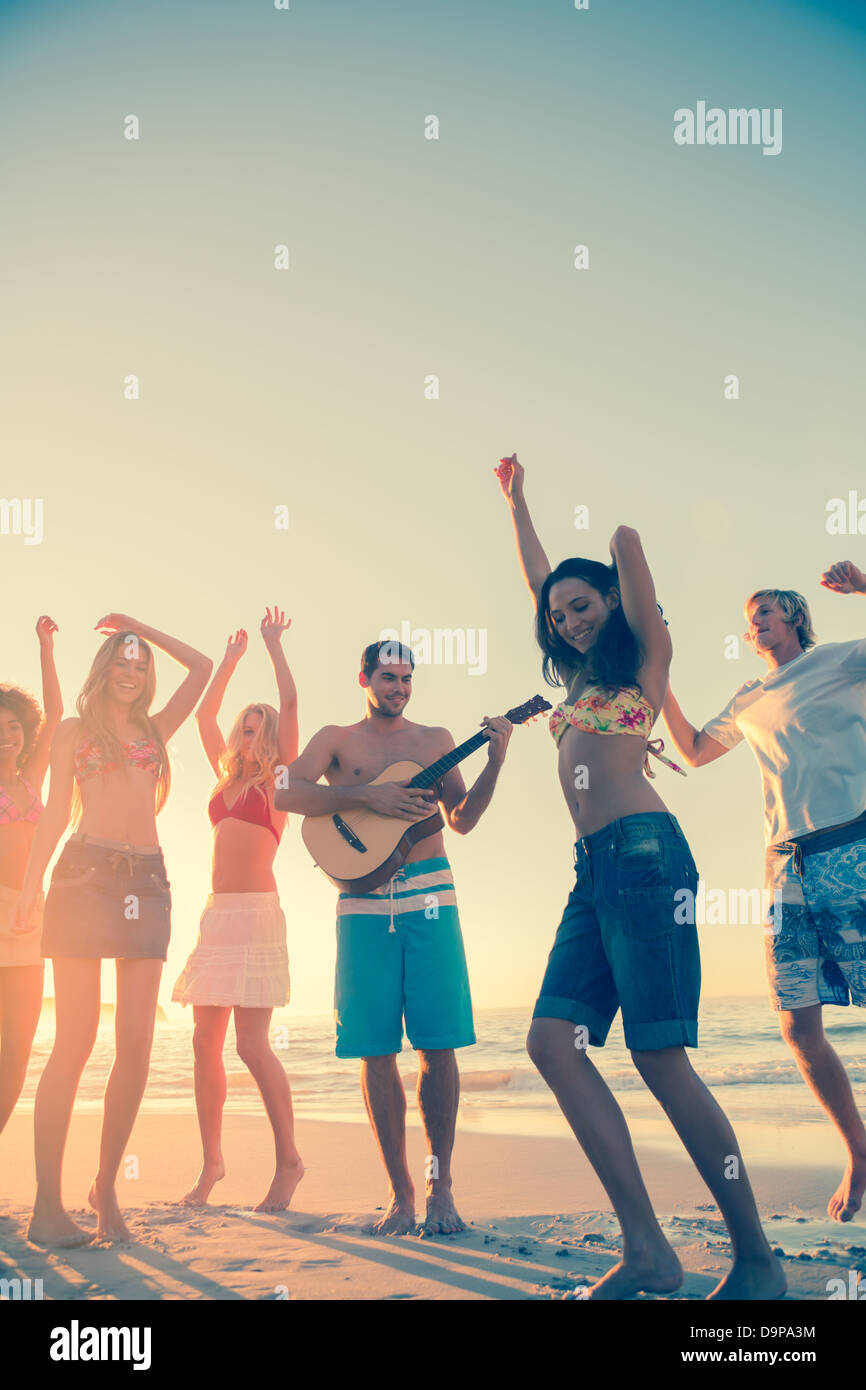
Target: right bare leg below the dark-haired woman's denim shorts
{"points": [[712, 1146]]}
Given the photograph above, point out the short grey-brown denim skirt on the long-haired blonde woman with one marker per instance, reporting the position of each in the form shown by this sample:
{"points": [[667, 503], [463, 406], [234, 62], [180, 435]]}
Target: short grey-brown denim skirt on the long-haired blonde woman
{"points": [[108, 901]]}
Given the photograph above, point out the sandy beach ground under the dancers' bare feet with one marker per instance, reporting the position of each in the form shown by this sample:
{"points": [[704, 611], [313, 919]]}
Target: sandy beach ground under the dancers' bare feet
{"points": [[540, 1223]]}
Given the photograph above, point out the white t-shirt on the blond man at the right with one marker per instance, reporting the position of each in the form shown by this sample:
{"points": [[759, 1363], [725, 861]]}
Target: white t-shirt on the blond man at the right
{"points": [[806, 722]]}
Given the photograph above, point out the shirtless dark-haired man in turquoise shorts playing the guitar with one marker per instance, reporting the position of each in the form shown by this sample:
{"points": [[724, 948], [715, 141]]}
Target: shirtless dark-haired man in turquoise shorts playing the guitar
{"points": [[395, 956]]}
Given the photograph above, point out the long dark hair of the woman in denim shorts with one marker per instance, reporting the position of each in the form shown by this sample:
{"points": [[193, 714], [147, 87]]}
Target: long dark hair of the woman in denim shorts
{"points": [[615, 657]]}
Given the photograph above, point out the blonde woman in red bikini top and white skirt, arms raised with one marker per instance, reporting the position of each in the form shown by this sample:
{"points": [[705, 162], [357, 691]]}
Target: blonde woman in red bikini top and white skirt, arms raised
{"points": [[241, 960]]}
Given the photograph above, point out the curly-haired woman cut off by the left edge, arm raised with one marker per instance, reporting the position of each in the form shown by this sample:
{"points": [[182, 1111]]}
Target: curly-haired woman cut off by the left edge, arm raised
{"points": [[26, 739]]}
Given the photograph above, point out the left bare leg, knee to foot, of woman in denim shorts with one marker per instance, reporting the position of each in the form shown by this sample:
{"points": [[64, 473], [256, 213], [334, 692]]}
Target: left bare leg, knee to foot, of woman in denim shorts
{"points": [[593, 1113]]}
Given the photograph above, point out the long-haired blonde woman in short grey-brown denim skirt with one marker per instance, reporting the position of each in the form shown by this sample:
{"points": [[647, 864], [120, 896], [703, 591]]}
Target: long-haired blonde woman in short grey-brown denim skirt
{"points": [[109, 900]]}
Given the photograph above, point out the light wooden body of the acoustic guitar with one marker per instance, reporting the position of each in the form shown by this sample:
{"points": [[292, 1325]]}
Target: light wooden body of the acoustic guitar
{"points": [[382, 846]]}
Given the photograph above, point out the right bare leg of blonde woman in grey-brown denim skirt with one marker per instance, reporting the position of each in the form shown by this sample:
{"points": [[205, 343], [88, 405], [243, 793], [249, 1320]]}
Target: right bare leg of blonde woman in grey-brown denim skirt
{"points": [[138, 983]]}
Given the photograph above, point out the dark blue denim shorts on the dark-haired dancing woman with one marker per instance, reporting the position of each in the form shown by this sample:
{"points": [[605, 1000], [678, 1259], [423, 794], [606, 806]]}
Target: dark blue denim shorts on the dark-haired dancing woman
{"points": [[625, 942]]}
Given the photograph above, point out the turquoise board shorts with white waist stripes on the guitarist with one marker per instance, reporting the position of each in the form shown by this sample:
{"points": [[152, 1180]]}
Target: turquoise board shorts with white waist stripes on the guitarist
{"points": [[400, 953]]}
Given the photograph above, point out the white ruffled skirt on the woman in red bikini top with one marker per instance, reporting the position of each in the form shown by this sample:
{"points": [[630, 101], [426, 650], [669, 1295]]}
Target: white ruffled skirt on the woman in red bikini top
{"points": [[241, 956]]}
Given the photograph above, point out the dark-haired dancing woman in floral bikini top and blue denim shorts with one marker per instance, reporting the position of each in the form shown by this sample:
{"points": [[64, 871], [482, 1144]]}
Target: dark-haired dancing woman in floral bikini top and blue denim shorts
{"points": [[625, 942]]}
